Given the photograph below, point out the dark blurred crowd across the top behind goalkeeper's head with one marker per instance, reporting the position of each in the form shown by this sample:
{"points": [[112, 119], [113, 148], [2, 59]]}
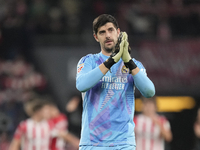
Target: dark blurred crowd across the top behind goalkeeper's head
{"points": [[140, 17]]}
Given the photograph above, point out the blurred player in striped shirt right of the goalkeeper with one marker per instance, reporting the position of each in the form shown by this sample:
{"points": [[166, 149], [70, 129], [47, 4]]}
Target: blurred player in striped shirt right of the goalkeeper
{"points": [[151, 129]]}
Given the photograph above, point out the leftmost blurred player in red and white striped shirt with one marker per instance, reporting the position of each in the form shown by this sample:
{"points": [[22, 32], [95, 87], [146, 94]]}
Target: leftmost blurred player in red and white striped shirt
{"points": [[34, 132]]}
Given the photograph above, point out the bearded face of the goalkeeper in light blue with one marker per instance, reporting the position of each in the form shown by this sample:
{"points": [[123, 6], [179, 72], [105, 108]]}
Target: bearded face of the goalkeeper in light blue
{"points": [[107, 36]]}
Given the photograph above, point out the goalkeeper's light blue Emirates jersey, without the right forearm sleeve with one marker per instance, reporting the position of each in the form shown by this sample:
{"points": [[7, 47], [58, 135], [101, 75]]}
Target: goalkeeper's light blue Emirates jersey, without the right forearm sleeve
{"points": [[108, 106]]}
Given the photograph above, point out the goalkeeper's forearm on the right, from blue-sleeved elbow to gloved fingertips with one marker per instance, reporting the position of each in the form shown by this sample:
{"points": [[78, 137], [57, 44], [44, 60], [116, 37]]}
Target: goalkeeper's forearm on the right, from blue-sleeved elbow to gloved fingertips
{"points": [[142, 82]]}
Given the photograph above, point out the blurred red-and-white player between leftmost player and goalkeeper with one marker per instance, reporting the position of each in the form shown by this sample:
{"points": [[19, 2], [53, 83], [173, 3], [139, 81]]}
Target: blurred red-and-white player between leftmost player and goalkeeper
{"points": [[60, 124]]}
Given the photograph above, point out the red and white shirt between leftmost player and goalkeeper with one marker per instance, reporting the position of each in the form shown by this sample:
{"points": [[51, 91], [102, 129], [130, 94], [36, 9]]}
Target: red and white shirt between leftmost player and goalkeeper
{"points": [[60, 123]]}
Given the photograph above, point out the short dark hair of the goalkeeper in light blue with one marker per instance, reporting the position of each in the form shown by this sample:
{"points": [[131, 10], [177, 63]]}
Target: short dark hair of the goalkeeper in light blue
{"points": [[102, 20]]}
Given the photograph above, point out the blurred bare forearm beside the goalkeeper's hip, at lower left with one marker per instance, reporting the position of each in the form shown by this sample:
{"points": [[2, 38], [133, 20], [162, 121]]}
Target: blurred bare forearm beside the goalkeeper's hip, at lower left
{"points": [[70, 138]]}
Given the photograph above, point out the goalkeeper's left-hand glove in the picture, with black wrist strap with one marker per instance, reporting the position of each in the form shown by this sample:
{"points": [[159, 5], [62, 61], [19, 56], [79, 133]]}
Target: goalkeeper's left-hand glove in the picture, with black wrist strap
{"points": [[116, 54]]}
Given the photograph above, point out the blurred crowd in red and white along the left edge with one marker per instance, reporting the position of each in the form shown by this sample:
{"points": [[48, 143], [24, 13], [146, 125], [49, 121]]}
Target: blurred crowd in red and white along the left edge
{"points": [[19, 82]]}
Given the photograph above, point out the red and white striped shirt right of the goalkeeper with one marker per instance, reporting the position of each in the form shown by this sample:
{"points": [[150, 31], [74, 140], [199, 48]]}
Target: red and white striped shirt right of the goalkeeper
{"points": [[148, 133]]}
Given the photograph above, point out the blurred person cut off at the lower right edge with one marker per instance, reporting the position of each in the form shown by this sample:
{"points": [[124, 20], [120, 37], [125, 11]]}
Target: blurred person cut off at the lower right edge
{"points": [[197, 130]]}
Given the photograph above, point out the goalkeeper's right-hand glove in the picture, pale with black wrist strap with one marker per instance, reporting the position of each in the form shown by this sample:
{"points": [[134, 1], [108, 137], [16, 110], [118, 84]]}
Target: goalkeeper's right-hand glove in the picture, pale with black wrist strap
{"points": [[126, 57]]}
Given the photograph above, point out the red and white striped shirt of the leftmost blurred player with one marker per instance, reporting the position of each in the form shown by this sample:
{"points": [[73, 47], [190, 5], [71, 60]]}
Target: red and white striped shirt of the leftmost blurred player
{"points": [[34, 135]]}
